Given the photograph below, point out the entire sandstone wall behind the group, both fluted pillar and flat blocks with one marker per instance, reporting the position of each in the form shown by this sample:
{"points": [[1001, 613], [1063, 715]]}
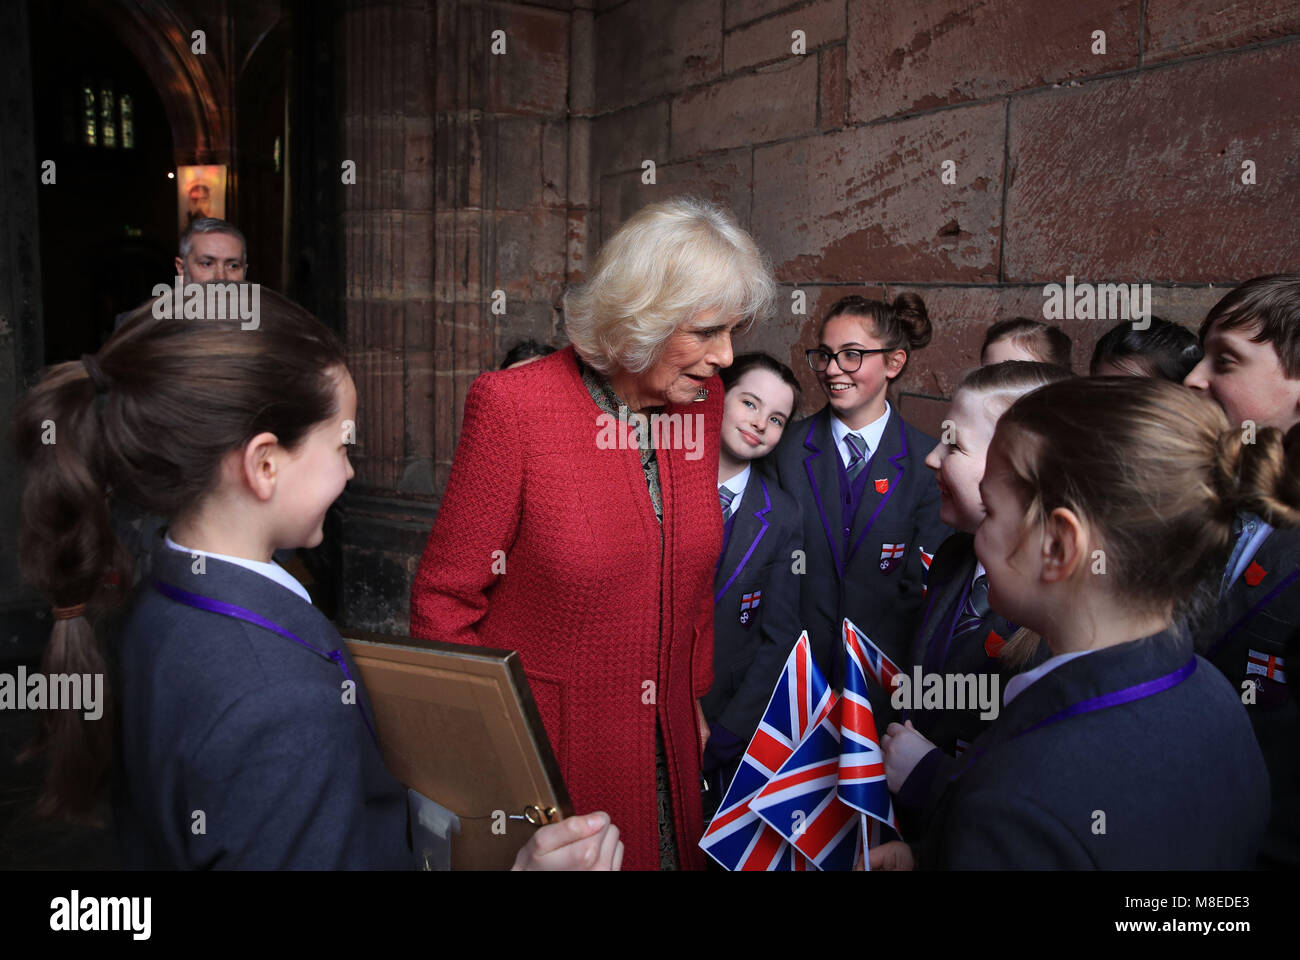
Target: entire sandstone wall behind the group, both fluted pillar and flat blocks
{"points": [[482, 172]]}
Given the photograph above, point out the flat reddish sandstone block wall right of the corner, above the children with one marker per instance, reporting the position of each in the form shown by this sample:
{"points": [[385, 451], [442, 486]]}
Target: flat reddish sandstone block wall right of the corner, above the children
{"points": [[1117, 167]]}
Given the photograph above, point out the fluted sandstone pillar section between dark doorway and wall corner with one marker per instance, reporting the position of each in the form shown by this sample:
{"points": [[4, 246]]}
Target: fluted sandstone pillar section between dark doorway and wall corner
{"points": [[461, 137]]}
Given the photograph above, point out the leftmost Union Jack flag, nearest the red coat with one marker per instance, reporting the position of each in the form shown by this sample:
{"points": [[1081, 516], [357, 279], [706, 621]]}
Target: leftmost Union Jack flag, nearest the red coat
{"points": [[738, 838]]}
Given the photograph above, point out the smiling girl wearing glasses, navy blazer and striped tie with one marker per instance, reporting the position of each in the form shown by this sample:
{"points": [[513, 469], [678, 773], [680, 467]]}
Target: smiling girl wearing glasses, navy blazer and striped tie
{"points": [[870, 507]]}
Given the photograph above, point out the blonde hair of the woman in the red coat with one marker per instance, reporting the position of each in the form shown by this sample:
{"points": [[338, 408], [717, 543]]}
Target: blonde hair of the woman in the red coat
{"points": [[666, 266]]}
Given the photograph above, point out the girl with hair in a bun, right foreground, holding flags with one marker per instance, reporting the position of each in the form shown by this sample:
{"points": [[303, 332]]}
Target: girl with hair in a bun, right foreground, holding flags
{"points": [[1108, 517]]}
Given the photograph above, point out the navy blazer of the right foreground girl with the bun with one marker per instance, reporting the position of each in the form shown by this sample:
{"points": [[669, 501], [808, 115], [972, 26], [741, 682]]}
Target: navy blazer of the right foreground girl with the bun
{"points": [[1173, 781]]}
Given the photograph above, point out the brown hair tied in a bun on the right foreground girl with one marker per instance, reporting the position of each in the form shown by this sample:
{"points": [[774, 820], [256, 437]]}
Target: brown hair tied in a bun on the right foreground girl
{"points": [[1160, 474]]}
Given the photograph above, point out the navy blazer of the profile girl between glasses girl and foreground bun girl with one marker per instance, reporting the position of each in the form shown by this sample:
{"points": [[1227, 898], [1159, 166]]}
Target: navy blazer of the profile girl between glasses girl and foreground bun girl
{"points": [[976, 652]]}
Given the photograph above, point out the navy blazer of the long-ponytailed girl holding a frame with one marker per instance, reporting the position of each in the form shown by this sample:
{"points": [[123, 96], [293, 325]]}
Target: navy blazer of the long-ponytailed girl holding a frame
{"points": [[227, 720]]}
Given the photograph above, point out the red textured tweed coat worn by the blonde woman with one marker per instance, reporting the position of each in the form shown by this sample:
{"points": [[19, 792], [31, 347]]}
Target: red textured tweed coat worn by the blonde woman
{"points": [[583, 581]]}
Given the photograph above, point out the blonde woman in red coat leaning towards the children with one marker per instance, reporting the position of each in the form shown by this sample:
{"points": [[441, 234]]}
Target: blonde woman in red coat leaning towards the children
{"points": [[582, 521]]}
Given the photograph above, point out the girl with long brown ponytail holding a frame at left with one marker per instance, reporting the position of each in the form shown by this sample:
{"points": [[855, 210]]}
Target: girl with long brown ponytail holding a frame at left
{"points": [[245, 737]]}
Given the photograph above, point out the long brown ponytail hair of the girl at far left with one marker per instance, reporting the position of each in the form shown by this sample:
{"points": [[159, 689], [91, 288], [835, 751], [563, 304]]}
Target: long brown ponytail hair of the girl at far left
{"points": [[146, 421]]}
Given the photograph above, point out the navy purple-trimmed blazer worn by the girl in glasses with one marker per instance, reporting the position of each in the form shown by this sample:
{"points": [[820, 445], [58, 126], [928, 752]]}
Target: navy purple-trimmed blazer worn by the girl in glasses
{"points": [[900, 507]]}
